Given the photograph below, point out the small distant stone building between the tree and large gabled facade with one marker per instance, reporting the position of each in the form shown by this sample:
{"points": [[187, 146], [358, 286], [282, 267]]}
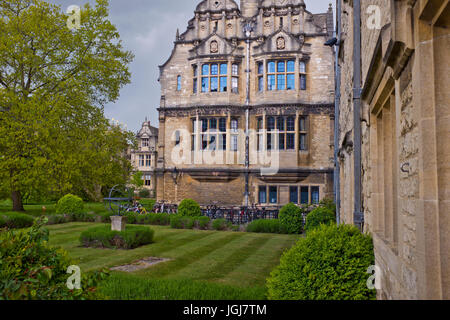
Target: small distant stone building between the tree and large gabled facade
{"points": [[144, 158]]}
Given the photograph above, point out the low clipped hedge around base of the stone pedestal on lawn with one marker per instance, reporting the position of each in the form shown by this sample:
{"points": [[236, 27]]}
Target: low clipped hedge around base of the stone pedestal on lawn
{"points": [[104, 237]]}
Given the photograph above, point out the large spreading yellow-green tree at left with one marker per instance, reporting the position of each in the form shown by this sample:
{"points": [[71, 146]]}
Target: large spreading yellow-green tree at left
{"points": [[54, 83]]}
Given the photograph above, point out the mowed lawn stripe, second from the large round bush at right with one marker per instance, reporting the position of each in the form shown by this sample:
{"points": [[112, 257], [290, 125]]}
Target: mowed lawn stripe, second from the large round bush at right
{"points": [[221, 262]]}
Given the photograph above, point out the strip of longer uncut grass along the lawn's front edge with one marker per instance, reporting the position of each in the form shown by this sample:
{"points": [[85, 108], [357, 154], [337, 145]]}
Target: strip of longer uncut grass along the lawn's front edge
{"points": [[129, 287]]}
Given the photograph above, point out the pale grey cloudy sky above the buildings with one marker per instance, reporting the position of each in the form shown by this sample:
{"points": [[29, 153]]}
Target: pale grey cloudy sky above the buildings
{"points": [[148, 28]]}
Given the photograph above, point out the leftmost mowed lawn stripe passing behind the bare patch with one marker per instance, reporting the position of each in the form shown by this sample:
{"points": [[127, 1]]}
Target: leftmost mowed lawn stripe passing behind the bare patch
{"points": [[111, 258]]}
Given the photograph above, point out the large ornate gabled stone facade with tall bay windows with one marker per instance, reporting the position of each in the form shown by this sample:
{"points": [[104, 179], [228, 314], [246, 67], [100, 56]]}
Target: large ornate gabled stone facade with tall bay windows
{"points": [[259, 70]]}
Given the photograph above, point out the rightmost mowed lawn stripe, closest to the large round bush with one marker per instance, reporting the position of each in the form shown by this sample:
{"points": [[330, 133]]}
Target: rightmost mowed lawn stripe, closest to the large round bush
{"points": [[257, 267]]}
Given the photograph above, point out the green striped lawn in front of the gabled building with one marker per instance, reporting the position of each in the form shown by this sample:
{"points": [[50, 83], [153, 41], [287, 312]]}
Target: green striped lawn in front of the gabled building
{"points": [[226, 261]]}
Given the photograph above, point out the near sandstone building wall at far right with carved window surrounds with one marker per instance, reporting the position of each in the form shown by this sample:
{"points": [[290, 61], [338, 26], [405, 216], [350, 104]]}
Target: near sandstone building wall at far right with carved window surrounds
{"points": [[405, 122]]}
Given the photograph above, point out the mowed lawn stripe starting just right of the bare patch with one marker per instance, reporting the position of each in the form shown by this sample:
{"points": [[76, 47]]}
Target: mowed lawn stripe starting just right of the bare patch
{"points": [[170, 268]]}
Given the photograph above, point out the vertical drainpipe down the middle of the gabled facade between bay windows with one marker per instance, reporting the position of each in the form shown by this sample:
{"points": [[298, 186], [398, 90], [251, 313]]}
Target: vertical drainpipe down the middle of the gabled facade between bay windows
{"points": [[248, 28]]}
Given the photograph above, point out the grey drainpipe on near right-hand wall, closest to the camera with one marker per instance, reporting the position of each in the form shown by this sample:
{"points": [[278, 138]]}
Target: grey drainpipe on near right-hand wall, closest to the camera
{"points": [[358, 215]]}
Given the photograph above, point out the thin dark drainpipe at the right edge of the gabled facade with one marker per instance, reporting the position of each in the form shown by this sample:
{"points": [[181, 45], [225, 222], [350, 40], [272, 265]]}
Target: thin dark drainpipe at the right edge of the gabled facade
{"points": [[337, 169]]}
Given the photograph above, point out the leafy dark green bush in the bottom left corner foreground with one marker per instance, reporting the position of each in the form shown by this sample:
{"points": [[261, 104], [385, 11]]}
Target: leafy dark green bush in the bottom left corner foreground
{"points": [[31, 269]]}
